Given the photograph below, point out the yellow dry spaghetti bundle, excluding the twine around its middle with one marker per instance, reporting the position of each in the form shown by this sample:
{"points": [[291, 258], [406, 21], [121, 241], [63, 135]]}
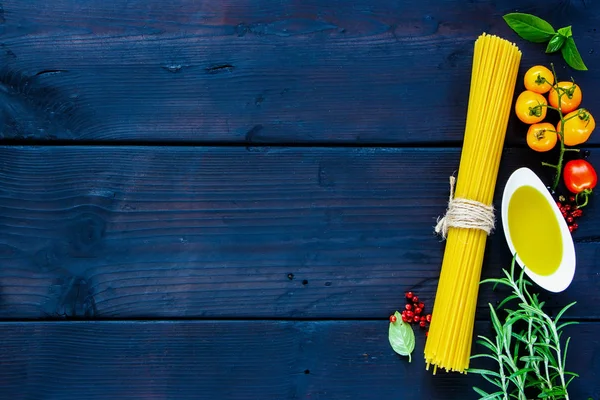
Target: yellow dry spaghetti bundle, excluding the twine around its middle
{"points": [[494, 73]]}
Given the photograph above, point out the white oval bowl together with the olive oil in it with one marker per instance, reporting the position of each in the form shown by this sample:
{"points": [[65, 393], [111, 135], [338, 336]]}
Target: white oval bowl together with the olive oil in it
{"points": [[536, 231]]}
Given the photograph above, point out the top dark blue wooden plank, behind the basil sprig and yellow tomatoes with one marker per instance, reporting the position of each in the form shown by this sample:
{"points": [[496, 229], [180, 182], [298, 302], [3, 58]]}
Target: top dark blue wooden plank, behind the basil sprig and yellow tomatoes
{"points": [[379, 71]]}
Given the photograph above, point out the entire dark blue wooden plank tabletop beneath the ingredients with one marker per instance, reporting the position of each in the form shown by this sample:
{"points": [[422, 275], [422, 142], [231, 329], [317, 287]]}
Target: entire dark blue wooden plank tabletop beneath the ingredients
{"points": [[226, 199]]}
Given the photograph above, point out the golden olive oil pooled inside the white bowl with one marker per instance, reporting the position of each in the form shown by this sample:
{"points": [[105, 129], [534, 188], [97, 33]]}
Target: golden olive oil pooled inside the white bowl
{"points": [[534, 231]]}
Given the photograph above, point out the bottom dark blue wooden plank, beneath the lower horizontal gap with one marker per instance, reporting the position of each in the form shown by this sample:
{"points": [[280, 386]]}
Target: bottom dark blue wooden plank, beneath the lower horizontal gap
{"points": [[238, 360]]}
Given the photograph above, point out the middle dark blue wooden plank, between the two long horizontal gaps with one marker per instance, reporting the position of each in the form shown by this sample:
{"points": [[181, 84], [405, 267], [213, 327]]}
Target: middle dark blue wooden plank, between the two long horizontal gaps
{"points": [[134, 232]]}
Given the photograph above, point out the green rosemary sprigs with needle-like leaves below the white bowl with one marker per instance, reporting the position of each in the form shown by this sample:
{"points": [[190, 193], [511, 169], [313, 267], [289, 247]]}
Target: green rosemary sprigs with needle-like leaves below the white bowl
{"points": [[527, 347]]}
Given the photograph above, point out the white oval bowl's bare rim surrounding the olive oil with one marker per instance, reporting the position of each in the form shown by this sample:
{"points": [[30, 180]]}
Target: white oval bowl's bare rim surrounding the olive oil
{"points": [[563, 276]]}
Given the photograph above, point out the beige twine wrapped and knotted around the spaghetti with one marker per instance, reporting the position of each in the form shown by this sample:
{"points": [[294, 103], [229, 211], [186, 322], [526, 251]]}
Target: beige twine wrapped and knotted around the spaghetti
{"points": [[465, 213]]}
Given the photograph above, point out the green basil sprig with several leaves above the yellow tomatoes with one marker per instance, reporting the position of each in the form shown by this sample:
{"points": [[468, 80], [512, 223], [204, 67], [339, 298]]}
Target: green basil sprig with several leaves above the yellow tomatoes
{"points": [[535, 29]]}
